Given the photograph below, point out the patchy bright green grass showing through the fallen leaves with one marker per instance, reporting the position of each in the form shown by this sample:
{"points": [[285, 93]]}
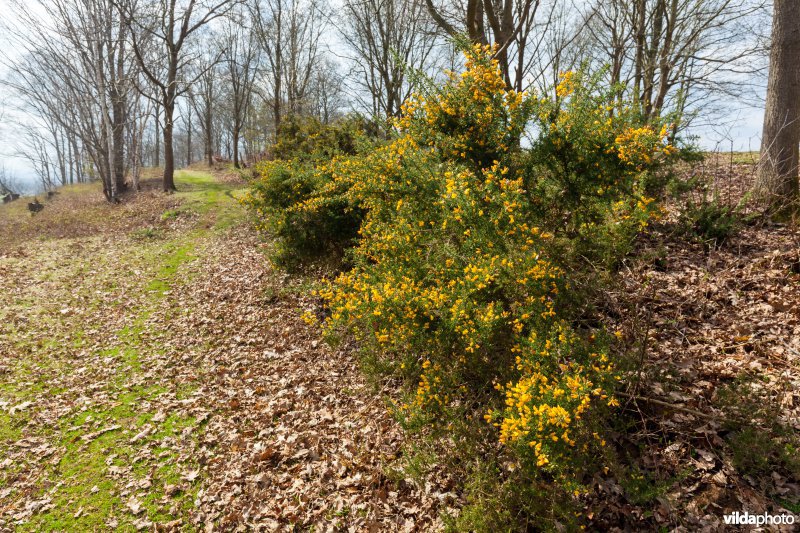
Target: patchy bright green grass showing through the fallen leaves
{"points": [[80, 480]]}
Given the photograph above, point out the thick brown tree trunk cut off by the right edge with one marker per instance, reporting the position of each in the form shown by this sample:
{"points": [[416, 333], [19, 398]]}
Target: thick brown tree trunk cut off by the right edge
{"points": [[776, 181]]}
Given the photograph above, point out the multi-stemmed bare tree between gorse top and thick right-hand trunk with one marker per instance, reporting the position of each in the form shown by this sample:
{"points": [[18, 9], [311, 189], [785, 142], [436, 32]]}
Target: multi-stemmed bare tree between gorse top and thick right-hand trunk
{"points": [[665, 51]]}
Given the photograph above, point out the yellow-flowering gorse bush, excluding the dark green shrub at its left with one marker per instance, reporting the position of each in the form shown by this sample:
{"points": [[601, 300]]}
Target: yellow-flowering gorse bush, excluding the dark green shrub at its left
{"points": [[460, 278]]}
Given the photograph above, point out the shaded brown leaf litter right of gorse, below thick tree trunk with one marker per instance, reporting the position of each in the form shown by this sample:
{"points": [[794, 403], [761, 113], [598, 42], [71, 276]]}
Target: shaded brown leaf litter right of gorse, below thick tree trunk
{"points": [[702, 320]]}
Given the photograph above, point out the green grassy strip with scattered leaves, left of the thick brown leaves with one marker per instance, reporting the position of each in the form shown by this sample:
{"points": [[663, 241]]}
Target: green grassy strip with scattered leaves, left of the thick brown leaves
{"points": [[93, 431]]}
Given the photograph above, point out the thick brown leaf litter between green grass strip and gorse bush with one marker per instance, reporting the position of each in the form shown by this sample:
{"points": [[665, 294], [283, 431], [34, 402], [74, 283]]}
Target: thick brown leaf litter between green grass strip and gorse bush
{"points": [[298, 436]]}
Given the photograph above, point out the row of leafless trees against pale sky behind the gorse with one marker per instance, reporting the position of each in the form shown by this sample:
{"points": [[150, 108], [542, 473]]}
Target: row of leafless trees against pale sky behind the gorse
{"points": [[168, 83]]}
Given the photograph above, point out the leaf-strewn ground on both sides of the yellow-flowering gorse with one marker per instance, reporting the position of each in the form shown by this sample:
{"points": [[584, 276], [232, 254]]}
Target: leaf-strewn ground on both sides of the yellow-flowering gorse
{"points": [[155, 374]]}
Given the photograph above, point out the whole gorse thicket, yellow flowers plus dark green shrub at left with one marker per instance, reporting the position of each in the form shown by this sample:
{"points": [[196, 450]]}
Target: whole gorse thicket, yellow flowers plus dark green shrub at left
{"points": [[472, 240]]}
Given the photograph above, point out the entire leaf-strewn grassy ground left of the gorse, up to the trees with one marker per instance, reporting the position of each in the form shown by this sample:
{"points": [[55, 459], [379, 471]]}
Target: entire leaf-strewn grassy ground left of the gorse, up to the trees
{"points": [[156, 374]]}
